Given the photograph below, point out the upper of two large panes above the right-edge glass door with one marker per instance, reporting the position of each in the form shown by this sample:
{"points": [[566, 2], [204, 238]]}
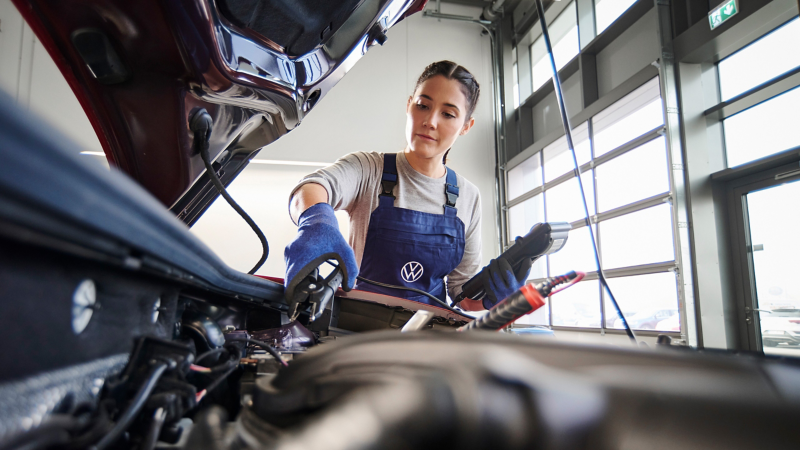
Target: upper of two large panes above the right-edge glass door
{"points": [[760, 61]]}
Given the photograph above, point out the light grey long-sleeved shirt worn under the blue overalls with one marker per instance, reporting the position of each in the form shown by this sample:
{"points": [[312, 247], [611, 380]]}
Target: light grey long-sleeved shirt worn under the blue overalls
{"points": [[353, 184]]}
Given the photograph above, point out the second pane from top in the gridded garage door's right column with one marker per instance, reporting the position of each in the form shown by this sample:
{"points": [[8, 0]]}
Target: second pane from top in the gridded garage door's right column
{"points": [[644, 168]]}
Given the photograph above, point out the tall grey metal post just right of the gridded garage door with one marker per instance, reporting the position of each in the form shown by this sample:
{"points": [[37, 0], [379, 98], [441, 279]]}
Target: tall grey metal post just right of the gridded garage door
{"points": [[680, 214]]}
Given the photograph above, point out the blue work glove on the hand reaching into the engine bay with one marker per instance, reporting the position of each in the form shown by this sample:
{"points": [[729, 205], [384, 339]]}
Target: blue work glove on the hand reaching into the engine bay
{"points": [[318, 240]]}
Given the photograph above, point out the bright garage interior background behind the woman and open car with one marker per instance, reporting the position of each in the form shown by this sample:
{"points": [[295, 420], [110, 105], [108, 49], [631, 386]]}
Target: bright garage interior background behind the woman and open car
{"points": [[684, 129]]}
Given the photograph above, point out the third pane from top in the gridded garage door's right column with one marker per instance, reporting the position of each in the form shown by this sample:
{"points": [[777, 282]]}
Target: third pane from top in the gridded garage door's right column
{"points": [[643, 237]]}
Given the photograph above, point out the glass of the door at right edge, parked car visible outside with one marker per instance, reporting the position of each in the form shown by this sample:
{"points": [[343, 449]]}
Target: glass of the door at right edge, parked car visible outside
{"points": [[772, 218]]}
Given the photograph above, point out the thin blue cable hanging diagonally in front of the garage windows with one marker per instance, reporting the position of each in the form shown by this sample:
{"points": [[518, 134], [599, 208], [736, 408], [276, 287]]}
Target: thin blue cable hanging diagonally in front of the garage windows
{"points": [[567, 130]]}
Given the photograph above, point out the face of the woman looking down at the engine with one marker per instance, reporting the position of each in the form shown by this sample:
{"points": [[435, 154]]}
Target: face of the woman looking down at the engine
{"points": [[435, 116]]}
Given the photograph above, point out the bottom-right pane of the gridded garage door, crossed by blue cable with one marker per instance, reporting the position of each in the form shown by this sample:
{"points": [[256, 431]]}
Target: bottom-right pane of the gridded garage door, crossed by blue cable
{"points": [[649, 302]]}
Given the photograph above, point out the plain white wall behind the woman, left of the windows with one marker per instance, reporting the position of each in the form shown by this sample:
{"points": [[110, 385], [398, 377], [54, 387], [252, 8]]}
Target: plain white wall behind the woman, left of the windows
{"points": [[364, 112]]}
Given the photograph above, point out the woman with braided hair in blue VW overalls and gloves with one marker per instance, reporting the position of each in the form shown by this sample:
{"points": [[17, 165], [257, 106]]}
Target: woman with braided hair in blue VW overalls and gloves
{"points": [[413, 220]]}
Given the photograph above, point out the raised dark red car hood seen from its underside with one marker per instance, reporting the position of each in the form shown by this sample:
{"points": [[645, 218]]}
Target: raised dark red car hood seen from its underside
{"points": [[140, 70]]}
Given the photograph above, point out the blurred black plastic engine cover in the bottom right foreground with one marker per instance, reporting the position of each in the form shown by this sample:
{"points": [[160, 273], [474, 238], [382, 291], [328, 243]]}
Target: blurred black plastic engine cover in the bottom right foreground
{"points": [[496, 390]]}
